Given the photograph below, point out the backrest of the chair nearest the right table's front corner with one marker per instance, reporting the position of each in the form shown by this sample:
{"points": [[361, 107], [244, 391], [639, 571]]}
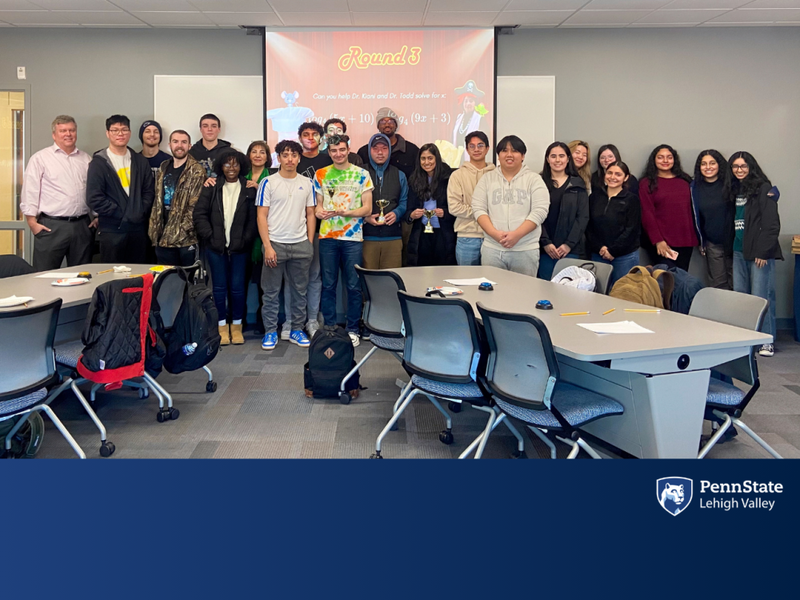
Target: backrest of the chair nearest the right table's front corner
{"points": [[522, 367]]}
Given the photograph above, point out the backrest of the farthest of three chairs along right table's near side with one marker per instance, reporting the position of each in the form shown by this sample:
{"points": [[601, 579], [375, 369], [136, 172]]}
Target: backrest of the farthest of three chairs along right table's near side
{"points": [[382, 313]]}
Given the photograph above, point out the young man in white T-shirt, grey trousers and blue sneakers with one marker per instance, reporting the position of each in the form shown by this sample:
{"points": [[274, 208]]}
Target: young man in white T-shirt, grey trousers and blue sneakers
{"points": [[287, 227]]}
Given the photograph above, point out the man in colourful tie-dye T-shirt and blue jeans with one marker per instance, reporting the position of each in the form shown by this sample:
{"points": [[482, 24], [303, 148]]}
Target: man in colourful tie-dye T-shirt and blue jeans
{"points": [[342, 213]]}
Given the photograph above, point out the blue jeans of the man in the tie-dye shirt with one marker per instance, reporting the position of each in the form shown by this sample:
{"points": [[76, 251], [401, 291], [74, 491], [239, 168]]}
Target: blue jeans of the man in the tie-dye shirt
{"points": [[332, 255]]}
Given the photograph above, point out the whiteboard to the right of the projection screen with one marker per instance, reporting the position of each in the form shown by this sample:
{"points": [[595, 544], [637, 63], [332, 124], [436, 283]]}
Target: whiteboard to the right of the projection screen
{"points": [[526, 107]]}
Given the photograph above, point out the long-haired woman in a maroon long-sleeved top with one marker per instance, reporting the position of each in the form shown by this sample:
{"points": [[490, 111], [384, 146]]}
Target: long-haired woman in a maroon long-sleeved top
{"points": [[667, 209]]}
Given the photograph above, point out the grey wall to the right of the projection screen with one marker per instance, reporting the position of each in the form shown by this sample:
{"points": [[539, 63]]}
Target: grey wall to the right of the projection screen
{"points": [[726, 88]]}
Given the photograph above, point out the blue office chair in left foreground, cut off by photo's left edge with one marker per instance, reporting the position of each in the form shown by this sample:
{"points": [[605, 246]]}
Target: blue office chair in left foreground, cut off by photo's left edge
{"points": [[29, 369]]}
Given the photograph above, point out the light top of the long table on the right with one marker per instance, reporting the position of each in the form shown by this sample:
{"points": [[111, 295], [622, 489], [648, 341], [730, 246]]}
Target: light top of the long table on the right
{"points": [[674, 333]]}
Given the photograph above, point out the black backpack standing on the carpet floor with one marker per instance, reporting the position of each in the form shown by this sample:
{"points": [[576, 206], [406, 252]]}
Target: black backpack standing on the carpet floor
{"points": [[331, 356]]}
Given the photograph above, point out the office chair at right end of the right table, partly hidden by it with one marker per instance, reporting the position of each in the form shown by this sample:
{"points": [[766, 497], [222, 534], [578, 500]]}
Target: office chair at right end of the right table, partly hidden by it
{"points": [[725, 402]]}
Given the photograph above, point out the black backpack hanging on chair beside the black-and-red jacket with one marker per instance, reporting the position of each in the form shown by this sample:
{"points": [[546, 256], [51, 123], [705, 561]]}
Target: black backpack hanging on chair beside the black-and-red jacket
{"points": [[195, 323]]}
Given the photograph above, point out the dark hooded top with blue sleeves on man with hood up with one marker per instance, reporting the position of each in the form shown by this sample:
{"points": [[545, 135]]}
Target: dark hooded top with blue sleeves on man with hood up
{"points": [[390, 184]]}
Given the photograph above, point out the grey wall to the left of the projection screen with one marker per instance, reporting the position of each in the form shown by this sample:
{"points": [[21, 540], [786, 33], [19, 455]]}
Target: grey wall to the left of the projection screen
{"points": [[94, 73]]}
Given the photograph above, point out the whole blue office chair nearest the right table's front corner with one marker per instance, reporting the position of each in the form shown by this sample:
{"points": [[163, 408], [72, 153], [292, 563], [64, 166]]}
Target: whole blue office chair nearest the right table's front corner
{"points": [[522, 375]]}
